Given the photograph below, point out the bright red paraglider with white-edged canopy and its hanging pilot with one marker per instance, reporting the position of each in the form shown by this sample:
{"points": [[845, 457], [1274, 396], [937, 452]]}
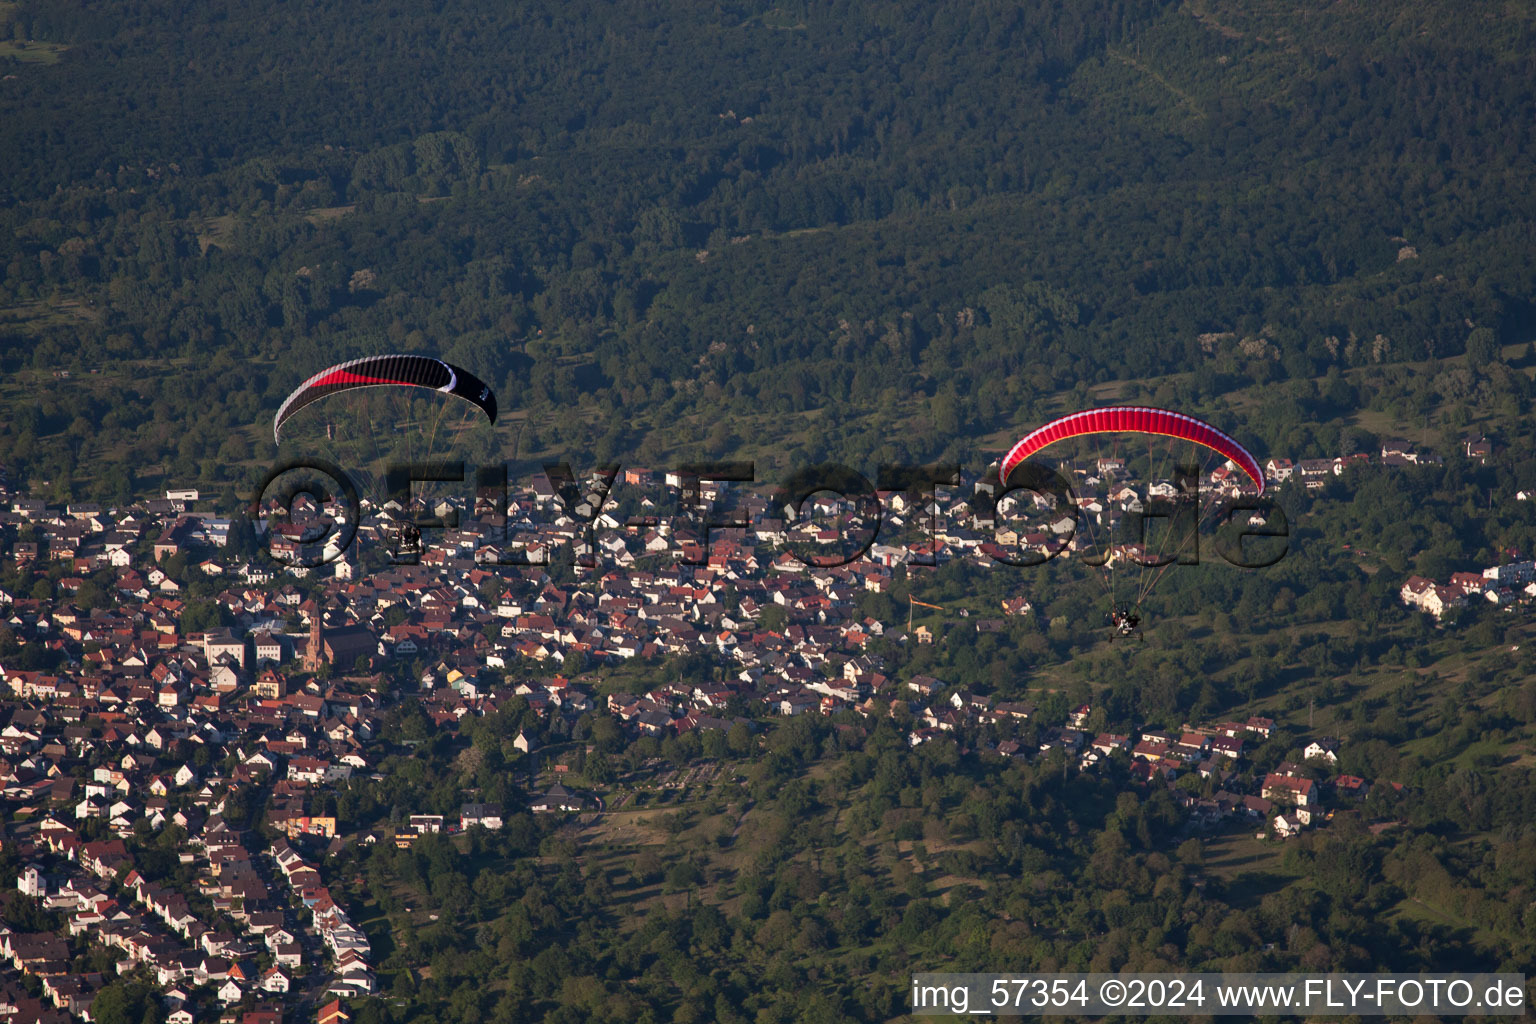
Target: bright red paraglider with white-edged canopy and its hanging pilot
{"points": [[1101, 446]]}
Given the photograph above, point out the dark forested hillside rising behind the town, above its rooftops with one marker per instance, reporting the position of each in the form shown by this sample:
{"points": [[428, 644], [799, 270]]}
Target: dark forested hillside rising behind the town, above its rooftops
{"points": [[627, 216]]}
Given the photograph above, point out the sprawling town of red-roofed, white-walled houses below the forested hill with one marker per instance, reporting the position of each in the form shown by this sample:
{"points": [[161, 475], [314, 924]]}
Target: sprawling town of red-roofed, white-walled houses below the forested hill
{"points": [[128, 718]]}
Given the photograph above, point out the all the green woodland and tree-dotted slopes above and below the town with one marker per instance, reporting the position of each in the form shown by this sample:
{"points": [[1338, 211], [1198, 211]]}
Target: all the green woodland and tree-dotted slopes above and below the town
{"points": [[872, 234]]}
